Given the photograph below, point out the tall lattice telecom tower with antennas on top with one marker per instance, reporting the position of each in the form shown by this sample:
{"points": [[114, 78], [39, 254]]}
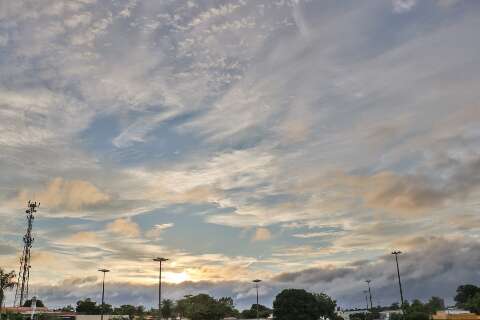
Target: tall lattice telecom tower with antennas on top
{"points": [[21, 293]]}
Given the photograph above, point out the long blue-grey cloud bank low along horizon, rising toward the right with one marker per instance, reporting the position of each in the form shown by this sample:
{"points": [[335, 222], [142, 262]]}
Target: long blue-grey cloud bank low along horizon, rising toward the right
{"points": [[436, 265]]}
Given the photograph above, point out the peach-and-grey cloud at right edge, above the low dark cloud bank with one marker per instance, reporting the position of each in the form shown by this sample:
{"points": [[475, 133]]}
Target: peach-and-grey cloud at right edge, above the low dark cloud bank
{"points": [[414, 193]]}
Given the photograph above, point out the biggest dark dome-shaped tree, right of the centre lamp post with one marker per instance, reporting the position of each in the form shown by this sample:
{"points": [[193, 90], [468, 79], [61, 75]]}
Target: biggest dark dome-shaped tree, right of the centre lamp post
{"points": [[295, 304]]}
